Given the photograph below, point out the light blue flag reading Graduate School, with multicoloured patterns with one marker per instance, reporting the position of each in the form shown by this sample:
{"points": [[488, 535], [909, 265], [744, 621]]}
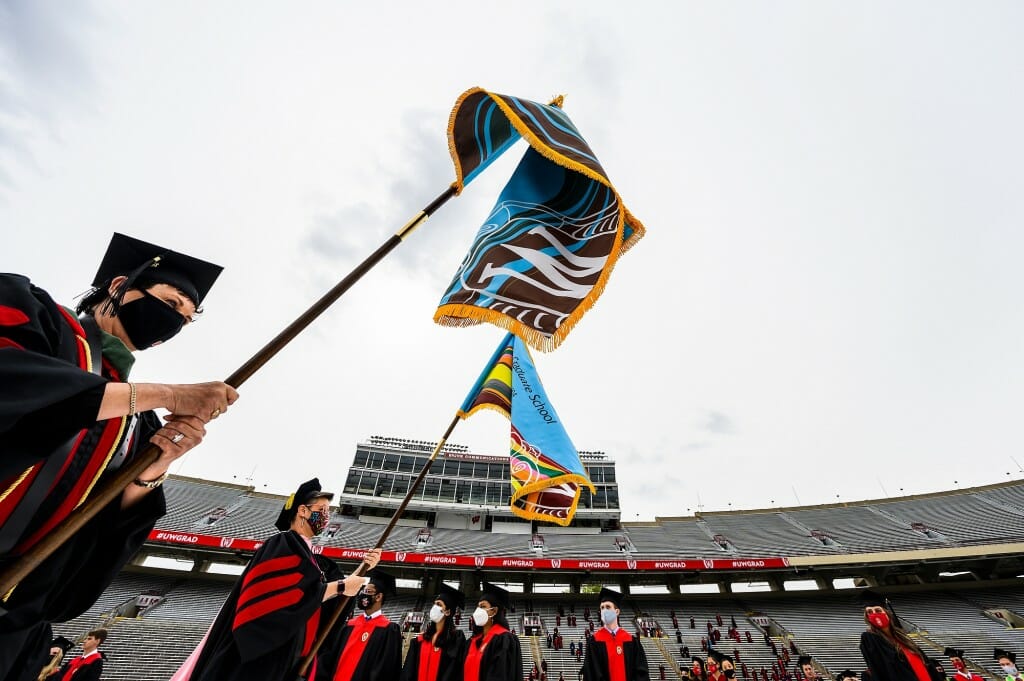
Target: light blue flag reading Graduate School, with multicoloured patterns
{"points": [[545, 466]]}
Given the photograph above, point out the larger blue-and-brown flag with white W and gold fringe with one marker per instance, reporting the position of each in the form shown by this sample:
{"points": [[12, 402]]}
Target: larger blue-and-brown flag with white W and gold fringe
{"points": [[544, 254]]}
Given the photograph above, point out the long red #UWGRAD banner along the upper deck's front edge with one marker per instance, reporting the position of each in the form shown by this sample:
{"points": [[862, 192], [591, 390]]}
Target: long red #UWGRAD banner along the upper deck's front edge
{"points": [[454, 561]]}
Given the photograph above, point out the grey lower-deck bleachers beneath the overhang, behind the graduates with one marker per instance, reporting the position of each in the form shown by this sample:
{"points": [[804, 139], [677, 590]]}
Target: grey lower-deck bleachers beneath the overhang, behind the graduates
{"points": [[825, 626]]}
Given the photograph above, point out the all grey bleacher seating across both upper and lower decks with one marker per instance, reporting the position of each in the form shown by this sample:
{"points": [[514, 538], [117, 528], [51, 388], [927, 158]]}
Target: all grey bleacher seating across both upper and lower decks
{"points": [[827, 626]]}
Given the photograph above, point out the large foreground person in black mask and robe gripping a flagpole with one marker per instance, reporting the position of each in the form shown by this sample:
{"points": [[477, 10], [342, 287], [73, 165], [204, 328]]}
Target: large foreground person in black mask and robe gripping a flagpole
{"points": [[69, 419]]}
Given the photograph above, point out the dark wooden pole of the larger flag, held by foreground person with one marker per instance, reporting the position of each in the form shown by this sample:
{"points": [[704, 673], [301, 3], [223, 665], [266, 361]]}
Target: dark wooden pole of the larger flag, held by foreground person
{"points": [[24, 566]]}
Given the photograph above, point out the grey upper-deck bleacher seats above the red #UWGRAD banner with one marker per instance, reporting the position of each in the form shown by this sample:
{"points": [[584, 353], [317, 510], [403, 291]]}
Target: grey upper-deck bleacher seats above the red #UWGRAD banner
{"points": [[957, 519]]}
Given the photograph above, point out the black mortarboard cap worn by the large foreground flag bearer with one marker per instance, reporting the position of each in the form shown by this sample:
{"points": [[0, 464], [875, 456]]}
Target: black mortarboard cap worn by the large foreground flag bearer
{"points": [[145, 265]]}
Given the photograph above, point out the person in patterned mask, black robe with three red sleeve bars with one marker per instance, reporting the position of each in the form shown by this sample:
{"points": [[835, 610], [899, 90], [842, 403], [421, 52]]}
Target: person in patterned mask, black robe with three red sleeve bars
{"points": [[271, 619]]}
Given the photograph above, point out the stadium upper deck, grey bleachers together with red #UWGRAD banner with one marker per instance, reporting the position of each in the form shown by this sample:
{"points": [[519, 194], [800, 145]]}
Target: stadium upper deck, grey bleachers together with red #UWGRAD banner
{"points": [[970, 525]]}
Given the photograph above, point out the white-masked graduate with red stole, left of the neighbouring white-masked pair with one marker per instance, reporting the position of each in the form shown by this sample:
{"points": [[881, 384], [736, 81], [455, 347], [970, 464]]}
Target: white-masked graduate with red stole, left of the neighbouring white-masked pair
{"points": [[438, 654]]}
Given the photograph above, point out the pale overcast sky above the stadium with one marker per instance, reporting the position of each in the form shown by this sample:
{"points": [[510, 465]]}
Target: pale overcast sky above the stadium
{"points": [[828, 302]]}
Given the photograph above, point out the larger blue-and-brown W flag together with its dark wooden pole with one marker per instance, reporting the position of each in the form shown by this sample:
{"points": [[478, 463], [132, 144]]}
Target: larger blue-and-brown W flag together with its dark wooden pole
{"points": [[482, 127]]}
